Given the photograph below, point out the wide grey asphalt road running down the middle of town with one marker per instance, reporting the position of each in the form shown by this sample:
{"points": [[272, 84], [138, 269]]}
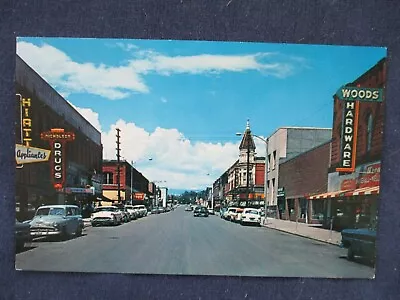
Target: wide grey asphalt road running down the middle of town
{"points": [[178, 243]]}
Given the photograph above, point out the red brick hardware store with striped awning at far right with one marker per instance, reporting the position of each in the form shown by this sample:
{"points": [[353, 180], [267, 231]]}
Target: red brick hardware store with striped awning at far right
{"points": [[351, 199]]}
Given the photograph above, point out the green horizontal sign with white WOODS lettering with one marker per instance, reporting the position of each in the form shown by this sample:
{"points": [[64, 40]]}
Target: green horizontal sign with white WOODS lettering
{"points": [[360, 94]]}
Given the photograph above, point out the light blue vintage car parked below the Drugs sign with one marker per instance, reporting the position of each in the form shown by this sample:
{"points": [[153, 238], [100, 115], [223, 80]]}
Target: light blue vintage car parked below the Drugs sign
{"points": [[62, 221]]}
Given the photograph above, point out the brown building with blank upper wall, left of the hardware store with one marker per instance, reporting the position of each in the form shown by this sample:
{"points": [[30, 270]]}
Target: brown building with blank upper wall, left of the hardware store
{"points": [[299, 177]]}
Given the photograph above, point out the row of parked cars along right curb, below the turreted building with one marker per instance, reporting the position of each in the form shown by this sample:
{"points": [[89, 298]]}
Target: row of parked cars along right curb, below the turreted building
{"points": [[242, 215]]}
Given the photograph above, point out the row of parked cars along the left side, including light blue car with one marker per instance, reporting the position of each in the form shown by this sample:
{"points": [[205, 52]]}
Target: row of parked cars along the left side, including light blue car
{"points": [[65, 221]]}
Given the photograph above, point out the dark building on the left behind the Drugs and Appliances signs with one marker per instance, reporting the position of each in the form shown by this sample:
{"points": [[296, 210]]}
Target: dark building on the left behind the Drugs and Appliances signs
{"points": [[40, 109]]}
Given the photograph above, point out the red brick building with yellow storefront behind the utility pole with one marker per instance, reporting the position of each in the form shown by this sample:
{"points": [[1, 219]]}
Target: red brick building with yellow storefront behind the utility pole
{"points": [[134, 187]]}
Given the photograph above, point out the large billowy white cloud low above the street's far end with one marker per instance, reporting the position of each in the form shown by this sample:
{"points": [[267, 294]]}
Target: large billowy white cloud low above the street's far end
{"points": [[182, 163]]}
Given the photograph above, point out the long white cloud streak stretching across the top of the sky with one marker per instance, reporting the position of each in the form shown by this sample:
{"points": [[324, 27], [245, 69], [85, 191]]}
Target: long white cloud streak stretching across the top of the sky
{"points": [[118, 82]]}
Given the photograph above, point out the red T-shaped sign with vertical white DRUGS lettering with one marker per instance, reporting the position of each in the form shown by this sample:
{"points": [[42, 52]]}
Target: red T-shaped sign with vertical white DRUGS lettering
{"points": [[58, 138]]}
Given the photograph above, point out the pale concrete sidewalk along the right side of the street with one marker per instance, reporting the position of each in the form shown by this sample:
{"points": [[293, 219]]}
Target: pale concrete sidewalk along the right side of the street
{"points": [[304, 230]]}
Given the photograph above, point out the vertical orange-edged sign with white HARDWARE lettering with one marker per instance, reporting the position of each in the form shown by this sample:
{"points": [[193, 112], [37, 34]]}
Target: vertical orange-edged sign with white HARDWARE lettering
{"points": [[349, 136]]}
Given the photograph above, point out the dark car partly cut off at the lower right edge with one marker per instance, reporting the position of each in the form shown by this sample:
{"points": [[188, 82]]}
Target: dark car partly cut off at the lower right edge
{"points": [[360, 242]]}
